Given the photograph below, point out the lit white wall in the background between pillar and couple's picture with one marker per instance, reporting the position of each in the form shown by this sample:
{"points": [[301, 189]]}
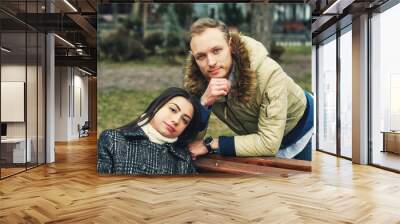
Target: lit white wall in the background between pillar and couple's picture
{"points": [[70, 84]]}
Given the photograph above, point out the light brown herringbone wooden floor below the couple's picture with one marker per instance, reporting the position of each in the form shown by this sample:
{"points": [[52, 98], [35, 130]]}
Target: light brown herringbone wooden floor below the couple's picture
{"points": [[70, 191]]}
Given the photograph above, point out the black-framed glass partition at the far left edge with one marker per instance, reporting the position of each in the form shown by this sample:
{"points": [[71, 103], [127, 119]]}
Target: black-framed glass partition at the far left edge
{"points": [[22, 68]]}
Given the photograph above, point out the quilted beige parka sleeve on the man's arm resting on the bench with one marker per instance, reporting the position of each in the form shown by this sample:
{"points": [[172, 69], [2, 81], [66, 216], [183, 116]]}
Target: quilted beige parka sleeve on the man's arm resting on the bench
{"points": [[272, 115]]}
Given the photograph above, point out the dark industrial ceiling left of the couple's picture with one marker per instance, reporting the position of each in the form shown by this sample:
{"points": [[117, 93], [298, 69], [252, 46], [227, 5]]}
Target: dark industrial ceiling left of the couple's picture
{"points": [[74, 22]]}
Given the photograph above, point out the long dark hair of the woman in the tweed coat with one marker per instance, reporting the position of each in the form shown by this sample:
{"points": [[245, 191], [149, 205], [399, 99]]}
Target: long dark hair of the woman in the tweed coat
{"points": [[190, 131]]}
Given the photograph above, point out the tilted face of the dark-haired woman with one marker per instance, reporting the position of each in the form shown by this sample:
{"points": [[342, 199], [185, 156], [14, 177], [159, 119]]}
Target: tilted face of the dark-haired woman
{"points": [[172, 118]]}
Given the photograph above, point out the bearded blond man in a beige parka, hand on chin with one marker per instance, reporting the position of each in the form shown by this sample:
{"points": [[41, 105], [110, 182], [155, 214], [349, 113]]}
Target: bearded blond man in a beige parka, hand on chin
{"points": [[235, 78]]}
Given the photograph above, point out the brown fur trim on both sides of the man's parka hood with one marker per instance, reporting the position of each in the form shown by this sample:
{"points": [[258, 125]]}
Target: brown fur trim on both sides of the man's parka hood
{"points": [[245, 78]]}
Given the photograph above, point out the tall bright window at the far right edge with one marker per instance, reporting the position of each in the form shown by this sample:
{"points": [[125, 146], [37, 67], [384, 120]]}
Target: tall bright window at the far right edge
{"points": [[385, 85]]}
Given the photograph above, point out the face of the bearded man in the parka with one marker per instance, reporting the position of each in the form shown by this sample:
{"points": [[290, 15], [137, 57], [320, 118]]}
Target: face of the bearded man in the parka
{"points": [[212, 53]]}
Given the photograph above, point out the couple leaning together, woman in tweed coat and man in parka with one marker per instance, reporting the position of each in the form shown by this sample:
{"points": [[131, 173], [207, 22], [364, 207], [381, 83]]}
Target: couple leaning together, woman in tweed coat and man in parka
{"points": [[232, 76]]}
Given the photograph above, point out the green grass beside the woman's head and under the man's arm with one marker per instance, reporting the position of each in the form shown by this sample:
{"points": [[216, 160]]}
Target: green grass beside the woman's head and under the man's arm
{"points": [[116, 108]]}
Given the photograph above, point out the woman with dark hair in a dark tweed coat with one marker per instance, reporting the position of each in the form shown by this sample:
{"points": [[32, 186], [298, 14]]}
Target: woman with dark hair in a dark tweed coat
{"points": [[156, 142]]}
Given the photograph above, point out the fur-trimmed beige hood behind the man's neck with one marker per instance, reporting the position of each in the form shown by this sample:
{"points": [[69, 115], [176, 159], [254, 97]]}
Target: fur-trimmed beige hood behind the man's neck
{"points": [[247, 54]]}
